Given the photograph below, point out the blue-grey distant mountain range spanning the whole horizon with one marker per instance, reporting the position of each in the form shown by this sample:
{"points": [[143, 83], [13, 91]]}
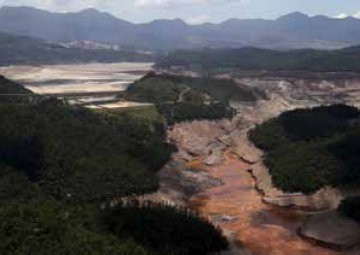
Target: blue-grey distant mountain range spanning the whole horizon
{"points": [[292, 31]]}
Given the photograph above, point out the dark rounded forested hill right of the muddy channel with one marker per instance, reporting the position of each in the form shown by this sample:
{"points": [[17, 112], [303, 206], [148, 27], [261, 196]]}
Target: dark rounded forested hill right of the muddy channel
{"points": [[307, 149]]}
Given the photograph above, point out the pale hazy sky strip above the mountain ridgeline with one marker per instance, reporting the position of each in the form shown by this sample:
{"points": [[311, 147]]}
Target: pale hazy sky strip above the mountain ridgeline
{"points": [[197, 11]]}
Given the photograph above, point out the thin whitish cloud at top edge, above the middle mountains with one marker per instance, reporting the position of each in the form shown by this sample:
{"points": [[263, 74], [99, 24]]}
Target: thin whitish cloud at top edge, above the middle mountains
{"points": [[181, 3]]}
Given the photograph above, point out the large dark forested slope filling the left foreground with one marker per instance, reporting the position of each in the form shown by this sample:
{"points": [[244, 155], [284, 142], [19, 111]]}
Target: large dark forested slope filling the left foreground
{"points": [[62, 166]]}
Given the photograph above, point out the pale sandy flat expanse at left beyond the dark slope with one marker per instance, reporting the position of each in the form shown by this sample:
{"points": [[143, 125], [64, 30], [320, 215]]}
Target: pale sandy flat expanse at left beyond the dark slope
{"points": [[82, 78]]}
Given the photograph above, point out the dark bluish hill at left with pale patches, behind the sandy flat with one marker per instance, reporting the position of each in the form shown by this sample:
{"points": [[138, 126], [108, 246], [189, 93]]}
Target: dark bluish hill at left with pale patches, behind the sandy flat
{"points": [[26, 50]]}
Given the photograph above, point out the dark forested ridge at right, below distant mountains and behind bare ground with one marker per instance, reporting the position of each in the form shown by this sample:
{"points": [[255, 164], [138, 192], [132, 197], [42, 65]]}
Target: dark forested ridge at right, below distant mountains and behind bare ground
{"points": [[344, 60]]}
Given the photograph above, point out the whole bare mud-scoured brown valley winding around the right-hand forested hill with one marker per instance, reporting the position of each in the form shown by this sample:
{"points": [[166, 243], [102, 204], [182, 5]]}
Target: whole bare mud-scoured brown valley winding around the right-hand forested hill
{"points": [[234, 189]]}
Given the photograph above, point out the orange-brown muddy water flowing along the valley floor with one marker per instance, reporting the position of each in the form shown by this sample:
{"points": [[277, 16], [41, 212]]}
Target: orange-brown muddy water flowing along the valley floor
{"points": [[260, 228]]}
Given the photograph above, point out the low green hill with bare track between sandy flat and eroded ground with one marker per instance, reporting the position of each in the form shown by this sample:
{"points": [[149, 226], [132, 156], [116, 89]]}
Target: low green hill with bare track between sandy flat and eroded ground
{"points": [[180, 98]]}
